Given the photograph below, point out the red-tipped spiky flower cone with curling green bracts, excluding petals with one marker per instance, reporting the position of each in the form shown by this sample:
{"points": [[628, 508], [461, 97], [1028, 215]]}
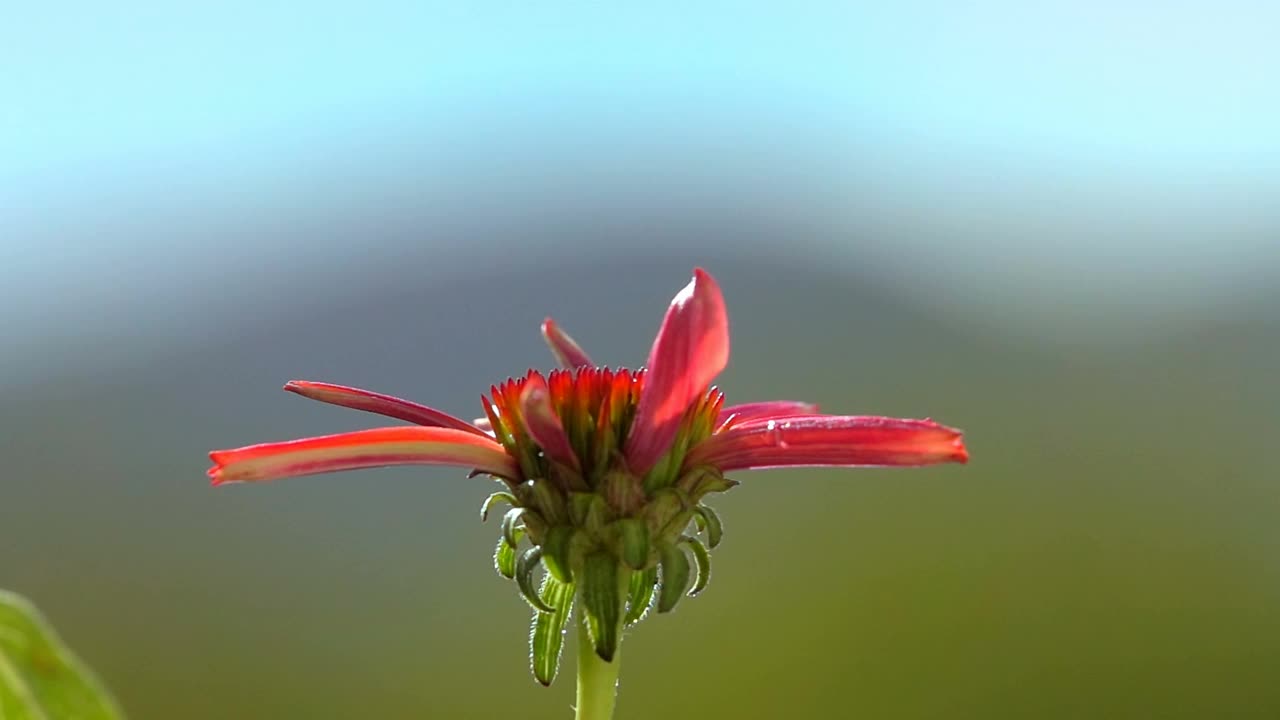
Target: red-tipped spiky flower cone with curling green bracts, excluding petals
{"points": [[602, 531]]}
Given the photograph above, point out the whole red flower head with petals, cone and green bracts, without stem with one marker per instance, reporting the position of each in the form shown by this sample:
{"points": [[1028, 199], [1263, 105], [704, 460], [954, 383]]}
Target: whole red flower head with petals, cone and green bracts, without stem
{"points": [[606, 471]]}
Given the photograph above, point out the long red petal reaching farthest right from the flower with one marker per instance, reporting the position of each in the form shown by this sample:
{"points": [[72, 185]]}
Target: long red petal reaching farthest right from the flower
{"points": [[831, 441]]}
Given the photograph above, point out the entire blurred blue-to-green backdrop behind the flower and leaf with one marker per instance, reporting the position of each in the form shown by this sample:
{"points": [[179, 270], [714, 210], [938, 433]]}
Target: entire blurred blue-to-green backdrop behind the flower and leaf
{"points": [[1054, 226]]}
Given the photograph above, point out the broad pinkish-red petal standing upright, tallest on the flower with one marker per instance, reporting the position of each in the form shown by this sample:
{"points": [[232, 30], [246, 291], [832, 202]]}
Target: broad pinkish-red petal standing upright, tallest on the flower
{"points": [[691, 350]]}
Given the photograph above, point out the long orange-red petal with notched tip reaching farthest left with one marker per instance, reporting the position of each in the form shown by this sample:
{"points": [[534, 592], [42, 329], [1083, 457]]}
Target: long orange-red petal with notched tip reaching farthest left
{"points": [[363, 449]]}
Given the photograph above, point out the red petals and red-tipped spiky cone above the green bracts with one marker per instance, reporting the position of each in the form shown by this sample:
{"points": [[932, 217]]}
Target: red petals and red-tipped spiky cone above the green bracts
{"points": [[637, 418]]}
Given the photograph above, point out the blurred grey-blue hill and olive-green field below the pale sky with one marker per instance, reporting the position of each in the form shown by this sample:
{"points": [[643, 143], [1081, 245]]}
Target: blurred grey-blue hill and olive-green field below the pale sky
{"points": [[1112, 550]]}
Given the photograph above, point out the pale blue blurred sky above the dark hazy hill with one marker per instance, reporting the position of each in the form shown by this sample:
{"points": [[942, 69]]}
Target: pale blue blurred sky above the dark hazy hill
{"points": [[1017, 145]]}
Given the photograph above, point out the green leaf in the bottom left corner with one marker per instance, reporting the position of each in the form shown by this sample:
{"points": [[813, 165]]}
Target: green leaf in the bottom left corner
{"points": [[40, 678]]}
